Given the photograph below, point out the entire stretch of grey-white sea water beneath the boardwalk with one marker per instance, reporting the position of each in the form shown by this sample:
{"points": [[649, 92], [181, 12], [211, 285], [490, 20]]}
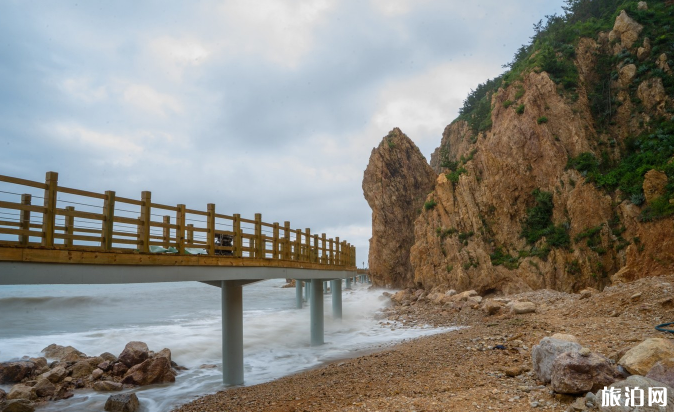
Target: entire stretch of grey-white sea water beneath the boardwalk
{"points": [[185, 317]]}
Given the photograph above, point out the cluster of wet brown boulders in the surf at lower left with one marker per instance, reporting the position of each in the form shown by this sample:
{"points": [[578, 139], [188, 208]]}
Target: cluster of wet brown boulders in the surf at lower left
{"points": [[64, 369]]}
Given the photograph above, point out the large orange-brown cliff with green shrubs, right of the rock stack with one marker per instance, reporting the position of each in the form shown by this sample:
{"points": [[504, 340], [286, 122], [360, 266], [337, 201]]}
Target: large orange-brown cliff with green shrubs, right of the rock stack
{"points": [[557, 179]]}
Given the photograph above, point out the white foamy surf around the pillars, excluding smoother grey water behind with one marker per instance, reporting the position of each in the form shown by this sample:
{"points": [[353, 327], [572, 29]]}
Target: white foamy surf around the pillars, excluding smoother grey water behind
{"points": [[276, 339]]}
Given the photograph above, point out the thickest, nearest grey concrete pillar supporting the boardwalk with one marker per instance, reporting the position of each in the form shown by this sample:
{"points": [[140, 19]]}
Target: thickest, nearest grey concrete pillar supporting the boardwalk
{"points": [[232, 332]]}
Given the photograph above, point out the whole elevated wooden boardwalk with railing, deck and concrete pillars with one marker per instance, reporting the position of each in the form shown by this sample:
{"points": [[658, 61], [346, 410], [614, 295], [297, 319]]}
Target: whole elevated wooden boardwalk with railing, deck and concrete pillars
{"points": [[52, 234]]}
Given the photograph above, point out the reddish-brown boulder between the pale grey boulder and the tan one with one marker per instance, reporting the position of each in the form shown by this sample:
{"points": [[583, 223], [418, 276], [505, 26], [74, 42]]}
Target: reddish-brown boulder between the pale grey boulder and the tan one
{"points": [[574, 373]]}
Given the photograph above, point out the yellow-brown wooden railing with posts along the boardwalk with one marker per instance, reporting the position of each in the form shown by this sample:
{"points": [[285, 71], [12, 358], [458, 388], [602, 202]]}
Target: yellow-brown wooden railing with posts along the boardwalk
{"points": [[75, 219]]}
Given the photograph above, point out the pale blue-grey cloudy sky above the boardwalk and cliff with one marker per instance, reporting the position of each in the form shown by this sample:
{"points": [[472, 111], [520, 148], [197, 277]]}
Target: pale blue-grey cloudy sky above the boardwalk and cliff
{"points": [[267, 106]]}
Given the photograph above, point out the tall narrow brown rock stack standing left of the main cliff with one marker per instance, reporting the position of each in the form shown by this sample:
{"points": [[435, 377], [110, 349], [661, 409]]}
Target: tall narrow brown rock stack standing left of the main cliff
{"points": [[395, 185]]}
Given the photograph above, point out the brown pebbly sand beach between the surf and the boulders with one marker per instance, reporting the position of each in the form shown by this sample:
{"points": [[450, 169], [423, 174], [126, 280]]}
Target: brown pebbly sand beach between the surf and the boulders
{"points": [[461, 370]]}
